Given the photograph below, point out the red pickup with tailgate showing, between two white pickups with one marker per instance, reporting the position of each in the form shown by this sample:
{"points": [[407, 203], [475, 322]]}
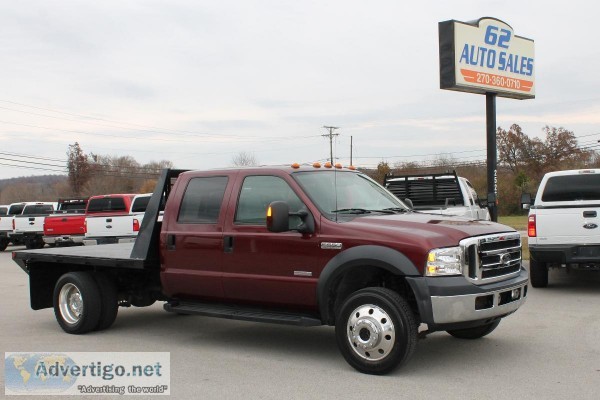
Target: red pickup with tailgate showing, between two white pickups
{"points": [[66, 226]]}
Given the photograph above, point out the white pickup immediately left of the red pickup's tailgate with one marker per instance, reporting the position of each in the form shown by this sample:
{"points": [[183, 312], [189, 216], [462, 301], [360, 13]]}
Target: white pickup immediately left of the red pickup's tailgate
{"points": [[28, 227]]}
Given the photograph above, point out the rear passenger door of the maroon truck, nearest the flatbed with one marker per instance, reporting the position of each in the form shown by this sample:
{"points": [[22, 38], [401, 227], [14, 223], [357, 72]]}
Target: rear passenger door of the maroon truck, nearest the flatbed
{"points": [[192, 241]]}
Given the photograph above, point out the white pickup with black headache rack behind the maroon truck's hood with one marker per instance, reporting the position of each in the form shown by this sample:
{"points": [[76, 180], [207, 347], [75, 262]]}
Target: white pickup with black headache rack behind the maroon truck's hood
{"points": [[445, 193]]}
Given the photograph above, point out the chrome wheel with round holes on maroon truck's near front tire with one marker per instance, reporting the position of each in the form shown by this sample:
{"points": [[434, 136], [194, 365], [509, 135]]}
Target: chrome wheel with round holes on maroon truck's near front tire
{"points": [[371, 332]]}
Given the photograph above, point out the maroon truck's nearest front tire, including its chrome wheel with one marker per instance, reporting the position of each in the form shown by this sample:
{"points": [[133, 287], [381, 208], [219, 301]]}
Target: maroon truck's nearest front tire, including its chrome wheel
{"points": [[376, 330]]}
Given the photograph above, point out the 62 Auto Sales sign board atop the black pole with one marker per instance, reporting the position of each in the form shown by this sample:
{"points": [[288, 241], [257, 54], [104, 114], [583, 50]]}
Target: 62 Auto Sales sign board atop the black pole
{"points": [[485, 56]]}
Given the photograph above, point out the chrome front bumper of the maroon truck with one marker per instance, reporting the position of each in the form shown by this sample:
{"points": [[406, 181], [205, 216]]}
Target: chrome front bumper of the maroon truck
{"points": [[453, 302]]}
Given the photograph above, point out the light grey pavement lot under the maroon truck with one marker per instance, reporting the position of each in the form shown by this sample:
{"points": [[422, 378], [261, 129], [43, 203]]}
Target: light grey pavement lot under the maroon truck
{"points": [[549, 349]]}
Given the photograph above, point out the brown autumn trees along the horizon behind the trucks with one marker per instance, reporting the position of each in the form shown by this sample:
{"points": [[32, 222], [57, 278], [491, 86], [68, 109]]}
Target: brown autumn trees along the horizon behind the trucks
{"points": [[522, 162]]}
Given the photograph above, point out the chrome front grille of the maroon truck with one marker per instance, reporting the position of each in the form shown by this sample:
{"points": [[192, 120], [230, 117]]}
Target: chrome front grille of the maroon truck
{"points": [[490, 258]]}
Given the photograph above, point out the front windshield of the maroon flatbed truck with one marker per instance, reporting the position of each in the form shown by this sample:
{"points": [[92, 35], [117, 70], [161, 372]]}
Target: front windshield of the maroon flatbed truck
{"points": [[339, 193]]}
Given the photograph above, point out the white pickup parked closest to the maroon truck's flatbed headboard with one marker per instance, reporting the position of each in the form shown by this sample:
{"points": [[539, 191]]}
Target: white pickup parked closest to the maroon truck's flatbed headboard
{"points": [[116, 226]]}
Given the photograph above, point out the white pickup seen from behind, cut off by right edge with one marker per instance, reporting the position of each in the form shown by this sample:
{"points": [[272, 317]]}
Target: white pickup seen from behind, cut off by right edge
{"points": [[563, 225]]}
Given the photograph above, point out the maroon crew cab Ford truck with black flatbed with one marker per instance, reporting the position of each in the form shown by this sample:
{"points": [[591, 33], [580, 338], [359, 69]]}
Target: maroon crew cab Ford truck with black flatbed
{"points": [[299, 245]]}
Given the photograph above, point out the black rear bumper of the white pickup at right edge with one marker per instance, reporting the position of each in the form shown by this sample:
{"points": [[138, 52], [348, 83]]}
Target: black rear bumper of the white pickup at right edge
{"points": [[566, 254]]}
